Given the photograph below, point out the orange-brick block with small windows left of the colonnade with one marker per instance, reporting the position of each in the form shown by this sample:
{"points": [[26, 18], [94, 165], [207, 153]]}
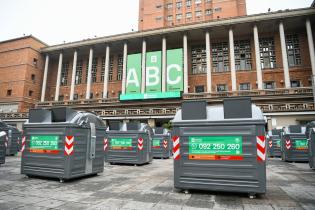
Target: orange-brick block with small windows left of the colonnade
{"points": [[21, 66]]}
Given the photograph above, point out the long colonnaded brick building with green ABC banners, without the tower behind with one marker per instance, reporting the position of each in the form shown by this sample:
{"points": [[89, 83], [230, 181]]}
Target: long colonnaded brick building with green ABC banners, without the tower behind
{"points": [[146, 75]]}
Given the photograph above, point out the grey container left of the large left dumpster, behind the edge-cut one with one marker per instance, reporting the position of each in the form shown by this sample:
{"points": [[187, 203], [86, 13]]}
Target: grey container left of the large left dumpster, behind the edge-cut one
{"points": [[13, 138]]}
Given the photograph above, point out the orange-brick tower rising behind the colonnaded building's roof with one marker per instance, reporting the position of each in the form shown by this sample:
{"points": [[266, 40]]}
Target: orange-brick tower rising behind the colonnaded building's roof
{"points": [[155, 14]]}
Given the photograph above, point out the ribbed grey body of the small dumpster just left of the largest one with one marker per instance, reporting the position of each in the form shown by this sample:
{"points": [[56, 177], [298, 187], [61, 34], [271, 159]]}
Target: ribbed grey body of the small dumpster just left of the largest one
{"points": [[161, 151]]}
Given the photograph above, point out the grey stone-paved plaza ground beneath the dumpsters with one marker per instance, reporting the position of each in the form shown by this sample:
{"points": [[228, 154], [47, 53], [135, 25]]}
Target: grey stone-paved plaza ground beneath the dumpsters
{"points": [[289, 186]]}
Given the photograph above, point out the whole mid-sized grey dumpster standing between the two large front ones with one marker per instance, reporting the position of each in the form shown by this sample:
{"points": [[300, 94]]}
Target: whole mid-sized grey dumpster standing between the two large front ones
{"points": [[129, 143]]}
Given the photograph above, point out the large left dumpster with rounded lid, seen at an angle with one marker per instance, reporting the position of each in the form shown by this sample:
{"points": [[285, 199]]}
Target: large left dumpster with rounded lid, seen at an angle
{"points": [[63, 143]]}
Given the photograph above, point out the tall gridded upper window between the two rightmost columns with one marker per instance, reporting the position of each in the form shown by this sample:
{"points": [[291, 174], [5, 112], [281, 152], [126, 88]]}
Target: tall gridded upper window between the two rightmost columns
{"points": [[293, 49]]}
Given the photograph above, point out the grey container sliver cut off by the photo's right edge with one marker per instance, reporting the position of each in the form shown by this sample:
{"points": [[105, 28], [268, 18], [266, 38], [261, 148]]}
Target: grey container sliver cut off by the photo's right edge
{"points": [[310, 135]]}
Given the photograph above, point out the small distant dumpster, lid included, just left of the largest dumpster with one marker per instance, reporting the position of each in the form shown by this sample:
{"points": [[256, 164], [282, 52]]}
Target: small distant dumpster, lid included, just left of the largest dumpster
{"points": [[161, 143]]}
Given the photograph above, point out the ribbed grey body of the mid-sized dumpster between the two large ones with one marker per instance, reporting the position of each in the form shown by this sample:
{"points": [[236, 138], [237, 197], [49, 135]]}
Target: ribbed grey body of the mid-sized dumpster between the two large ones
{"points": [[131, 155]]}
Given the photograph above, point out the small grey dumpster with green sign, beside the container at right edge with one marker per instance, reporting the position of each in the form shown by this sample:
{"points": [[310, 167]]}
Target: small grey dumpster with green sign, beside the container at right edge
{"points": [[294, 146]]}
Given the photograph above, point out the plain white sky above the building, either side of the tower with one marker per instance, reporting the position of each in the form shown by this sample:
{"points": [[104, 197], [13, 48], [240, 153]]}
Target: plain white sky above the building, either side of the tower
{"points": [[56, 21]]}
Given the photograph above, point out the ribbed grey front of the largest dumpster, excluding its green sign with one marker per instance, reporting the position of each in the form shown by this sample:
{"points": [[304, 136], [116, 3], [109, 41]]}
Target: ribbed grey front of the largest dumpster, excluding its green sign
{"points": [[247, 175]]}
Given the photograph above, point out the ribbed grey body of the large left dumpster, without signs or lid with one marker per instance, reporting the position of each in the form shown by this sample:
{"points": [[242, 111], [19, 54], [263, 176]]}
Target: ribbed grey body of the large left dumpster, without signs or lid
{"points": [[60, 165]]}
